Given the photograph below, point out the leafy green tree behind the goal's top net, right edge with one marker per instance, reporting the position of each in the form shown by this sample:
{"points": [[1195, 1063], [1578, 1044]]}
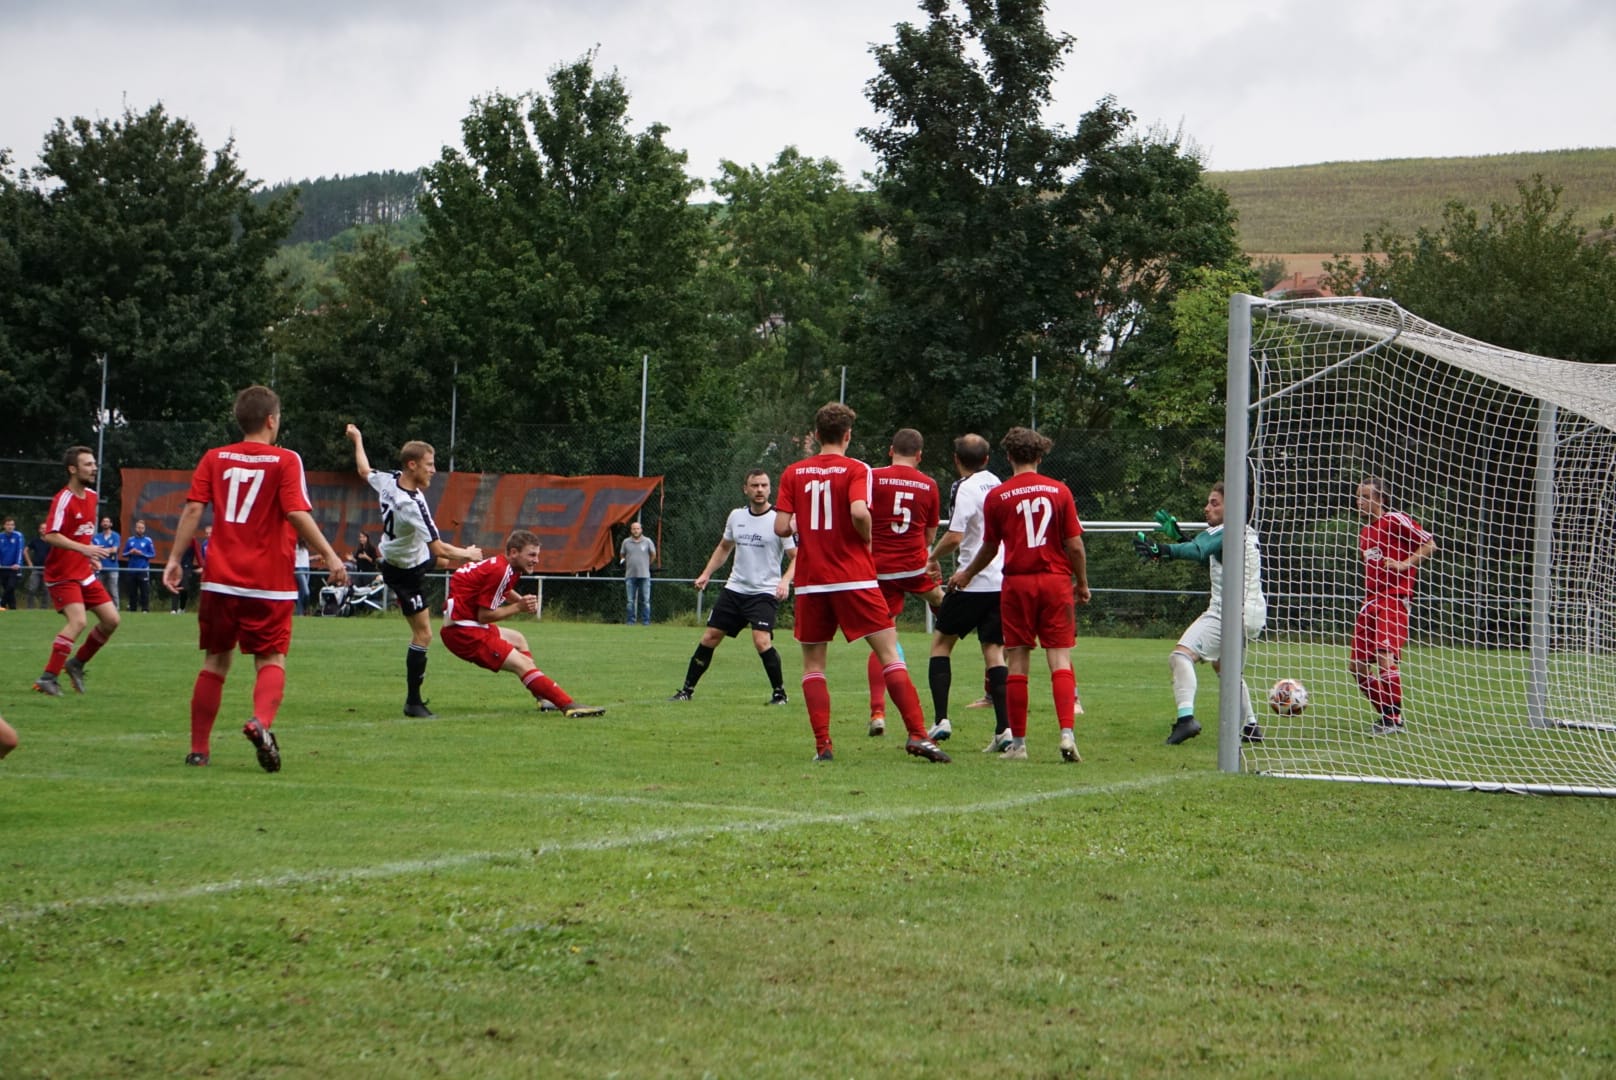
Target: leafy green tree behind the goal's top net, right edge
{"points": [[1523, 276]]}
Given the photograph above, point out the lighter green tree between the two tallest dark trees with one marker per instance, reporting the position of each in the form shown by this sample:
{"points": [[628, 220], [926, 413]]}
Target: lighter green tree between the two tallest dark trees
{"points": [[789, 259]]}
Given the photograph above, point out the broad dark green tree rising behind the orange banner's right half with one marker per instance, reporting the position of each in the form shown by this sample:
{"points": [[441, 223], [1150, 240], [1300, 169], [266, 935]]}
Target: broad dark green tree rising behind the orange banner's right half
{"points": [[560, 250]]}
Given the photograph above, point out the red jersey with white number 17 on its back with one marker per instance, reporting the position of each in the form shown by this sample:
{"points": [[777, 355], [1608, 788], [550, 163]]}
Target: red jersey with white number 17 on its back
{"points": [[251, 487]]}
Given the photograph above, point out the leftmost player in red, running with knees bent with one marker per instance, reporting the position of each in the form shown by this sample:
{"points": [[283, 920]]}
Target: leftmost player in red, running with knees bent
{"points": [[70, 575]]}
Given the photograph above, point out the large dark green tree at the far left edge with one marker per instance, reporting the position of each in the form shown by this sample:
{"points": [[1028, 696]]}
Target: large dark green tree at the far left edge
{"points": [[130, 242]]}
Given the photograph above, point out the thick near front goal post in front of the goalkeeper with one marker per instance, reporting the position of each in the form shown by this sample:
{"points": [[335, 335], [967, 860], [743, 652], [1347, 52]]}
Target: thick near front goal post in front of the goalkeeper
{"points": [[1237, 428]]}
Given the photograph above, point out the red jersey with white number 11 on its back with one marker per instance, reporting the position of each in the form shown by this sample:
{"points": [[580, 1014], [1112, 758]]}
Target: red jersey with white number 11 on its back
{"points": [[831, 557]]}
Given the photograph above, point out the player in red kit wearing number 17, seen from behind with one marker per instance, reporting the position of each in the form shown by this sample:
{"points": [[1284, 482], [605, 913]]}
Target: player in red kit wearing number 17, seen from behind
{"points": [[261, 507]]}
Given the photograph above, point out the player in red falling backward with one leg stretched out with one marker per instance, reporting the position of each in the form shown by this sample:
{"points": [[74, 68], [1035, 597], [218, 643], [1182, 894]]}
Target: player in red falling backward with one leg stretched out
{"points": [[481, 596]]}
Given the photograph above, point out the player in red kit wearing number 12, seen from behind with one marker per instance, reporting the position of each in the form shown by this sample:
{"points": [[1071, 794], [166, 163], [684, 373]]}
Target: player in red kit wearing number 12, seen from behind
{"points": [[1037, 521]]}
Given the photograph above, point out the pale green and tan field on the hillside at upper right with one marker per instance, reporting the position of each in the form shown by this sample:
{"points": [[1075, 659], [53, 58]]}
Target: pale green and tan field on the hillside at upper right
{"points": [[1331, 208]]}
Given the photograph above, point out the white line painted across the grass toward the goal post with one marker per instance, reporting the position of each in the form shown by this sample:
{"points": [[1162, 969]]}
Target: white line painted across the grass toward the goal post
{"points": [[532, 854]]}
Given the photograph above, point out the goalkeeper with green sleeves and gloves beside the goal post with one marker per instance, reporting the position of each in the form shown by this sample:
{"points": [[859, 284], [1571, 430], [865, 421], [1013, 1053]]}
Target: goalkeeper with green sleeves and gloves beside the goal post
{"points": [[1205, 638]]}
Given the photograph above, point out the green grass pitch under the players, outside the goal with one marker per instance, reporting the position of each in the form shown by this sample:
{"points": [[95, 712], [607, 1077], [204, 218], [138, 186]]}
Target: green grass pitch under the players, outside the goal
{"points": [[676, 890]]}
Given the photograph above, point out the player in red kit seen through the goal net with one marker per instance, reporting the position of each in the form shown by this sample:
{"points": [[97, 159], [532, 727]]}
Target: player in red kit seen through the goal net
{"points": [[1394, 546]]}
